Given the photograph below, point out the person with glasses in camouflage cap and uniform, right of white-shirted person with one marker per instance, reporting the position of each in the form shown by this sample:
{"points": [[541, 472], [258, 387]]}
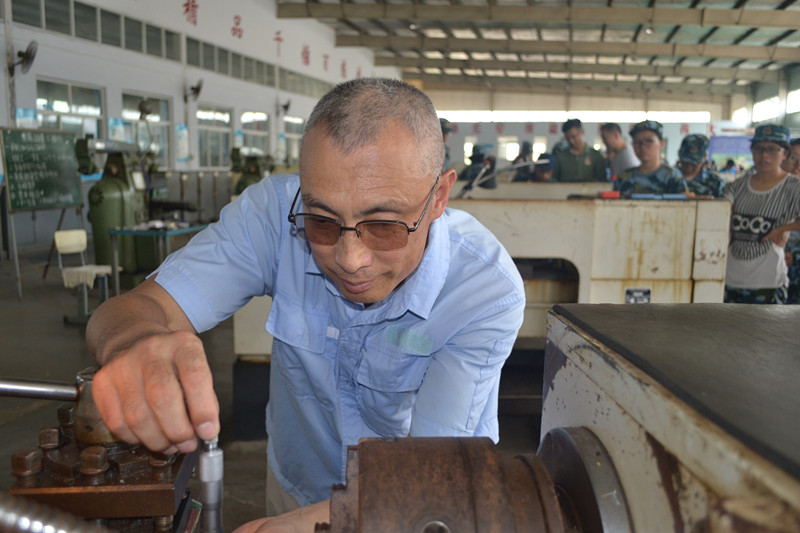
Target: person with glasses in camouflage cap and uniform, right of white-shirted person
{"points": [[653, 175]]}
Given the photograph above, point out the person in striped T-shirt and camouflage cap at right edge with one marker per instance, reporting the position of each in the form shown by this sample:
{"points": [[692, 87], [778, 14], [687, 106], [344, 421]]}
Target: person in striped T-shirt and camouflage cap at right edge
{"points": [[766, 206]]}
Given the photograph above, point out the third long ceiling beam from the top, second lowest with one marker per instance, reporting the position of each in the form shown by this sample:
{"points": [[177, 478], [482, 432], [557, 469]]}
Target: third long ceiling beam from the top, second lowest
{"points": [[760, 75]]}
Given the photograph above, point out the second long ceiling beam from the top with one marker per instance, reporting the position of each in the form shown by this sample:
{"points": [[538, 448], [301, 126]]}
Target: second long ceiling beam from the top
{"points": [[744, 52]]}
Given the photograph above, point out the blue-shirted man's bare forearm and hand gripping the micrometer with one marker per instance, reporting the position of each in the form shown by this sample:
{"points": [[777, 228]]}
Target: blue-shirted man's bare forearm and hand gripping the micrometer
{"points": [[155, 386]]}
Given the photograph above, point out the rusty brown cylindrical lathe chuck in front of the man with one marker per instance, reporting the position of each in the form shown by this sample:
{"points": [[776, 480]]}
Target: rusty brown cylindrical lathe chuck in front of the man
{"points": [[425, 485]]}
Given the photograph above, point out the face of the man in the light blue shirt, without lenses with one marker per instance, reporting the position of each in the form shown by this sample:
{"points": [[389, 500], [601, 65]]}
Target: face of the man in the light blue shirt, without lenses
{"points": [[383, 180]]}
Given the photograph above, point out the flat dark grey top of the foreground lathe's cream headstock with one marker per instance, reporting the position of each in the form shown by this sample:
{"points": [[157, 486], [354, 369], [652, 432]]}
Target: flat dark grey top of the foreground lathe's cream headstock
{"points": [[730, 363]]}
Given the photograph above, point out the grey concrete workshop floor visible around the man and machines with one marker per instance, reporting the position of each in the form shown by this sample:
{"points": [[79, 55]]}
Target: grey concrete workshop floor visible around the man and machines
{"points": [[36, 344]]}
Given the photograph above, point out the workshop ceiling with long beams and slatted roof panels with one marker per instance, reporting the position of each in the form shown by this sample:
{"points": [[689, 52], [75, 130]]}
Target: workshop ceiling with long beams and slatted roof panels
{"points": [[712, 47]]}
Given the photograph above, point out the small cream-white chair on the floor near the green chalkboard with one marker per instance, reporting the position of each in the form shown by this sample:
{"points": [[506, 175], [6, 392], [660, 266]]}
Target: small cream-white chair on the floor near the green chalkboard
{"points": [[74, 242]]}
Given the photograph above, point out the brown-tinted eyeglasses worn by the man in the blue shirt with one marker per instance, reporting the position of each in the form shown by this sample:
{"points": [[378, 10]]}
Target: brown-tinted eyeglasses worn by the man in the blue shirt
{"points": [[379, 235]]}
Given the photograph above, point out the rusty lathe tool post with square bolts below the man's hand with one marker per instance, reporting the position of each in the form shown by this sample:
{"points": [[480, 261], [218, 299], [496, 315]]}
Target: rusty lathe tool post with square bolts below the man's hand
{"points": [[78, 467]]}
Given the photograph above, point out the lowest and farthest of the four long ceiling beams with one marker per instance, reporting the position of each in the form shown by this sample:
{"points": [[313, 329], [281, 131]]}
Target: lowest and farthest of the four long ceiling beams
{"points": [[608, 88]]}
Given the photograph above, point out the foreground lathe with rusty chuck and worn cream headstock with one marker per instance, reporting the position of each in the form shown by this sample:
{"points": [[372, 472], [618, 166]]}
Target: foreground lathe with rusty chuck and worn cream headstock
{"points": [[659, 417]]}
